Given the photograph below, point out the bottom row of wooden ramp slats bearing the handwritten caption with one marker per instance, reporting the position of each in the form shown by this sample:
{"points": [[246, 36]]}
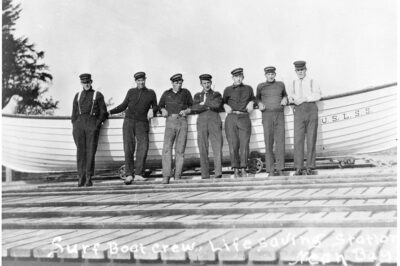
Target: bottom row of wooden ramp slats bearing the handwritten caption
{"points": [[324, 245]]}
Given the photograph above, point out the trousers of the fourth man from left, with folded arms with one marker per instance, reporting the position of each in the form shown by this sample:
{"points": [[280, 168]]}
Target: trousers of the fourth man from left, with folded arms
{"points": [[209, 125]]}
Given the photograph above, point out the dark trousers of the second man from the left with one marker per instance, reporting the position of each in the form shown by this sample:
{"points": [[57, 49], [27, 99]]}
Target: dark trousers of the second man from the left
{"points": [[135, 131]]}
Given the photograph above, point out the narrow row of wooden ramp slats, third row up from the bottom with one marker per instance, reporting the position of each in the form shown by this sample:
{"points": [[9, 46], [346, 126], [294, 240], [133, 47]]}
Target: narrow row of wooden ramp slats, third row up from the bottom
{"points": [[200, 197]]}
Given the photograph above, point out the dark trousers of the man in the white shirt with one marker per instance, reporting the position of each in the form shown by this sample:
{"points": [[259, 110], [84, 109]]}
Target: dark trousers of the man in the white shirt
{"points": [[305, 126]]}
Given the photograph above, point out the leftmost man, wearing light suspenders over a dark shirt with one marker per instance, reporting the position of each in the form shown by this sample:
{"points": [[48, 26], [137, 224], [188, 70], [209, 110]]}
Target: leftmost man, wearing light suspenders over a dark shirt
{"points": [[88, 113]]}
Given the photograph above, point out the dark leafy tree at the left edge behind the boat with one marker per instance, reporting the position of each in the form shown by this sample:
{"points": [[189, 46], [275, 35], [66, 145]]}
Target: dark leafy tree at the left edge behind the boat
{"points": [[23, 71]]}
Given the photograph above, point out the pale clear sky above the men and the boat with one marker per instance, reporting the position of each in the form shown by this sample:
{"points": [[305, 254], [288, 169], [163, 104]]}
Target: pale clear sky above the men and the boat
{"points": [[348, 45]]}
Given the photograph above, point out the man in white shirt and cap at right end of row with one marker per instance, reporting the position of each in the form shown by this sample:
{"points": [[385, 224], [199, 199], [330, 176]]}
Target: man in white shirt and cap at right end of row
{"points": [[304, 93]]}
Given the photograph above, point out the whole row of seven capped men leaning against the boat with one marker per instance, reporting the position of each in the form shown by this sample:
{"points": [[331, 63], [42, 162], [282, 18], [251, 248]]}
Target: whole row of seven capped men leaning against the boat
{"points": [[238, 101]]}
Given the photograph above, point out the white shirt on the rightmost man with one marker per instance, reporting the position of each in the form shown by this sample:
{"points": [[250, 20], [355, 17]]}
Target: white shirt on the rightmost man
{"points": [[305, 88]]}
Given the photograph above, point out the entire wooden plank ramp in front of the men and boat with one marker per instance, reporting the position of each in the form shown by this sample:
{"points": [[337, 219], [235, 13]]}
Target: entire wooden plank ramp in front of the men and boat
{"points": [[334, 218]]}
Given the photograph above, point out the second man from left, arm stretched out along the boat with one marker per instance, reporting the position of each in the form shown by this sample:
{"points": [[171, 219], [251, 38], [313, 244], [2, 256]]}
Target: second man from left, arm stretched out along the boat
{"points": [[136, 127]]}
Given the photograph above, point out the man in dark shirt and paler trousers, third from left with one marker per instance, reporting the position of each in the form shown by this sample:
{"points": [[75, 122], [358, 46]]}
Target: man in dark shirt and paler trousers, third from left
{"points": [[175, 105]]}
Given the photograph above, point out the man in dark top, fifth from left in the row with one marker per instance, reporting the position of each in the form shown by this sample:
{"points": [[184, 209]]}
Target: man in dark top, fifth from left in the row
{"points": [[238, 102]]}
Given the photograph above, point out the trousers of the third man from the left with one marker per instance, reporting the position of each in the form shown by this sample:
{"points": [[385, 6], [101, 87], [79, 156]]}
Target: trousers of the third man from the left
{"points": [[175, 131]]}
